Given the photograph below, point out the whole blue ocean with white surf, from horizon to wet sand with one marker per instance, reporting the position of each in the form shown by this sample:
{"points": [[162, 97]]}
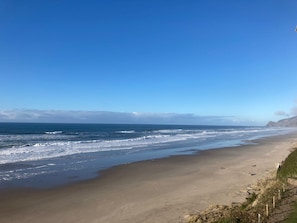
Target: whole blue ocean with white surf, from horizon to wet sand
{"points": [[39, 155]]}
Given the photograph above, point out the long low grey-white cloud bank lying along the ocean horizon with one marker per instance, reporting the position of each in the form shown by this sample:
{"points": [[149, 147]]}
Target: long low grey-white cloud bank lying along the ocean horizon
{"points": [[59, 116]]}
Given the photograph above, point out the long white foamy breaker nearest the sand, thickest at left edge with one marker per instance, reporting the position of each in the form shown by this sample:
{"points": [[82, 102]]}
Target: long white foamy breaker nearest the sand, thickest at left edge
{"points": [[46, 150]]}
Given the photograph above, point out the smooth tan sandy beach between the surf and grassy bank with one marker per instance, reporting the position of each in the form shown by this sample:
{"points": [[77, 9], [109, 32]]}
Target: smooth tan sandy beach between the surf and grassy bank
{"points": [[163, 190]]}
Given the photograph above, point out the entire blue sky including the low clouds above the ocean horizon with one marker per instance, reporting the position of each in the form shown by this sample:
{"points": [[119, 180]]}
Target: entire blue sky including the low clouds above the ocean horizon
{"points": [[148, 61]]}
